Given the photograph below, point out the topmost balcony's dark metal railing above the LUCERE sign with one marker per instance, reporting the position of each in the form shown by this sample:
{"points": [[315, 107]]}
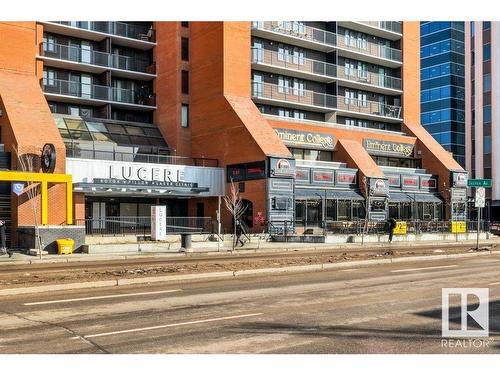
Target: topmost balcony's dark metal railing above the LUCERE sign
{"points": [[126, 30]]}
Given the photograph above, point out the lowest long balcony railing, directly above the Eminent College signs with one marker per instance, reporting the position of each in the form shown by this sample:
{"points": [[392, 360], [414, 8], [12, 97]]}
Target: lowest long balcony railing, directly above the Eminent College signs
{"points": [[294, 95]]}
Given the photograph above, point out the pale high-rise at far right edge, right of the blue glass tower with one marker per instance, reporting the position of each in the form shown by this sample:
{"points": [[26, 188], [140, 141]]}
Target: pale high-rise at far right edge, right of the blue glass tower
{"points": [[482, 116]]}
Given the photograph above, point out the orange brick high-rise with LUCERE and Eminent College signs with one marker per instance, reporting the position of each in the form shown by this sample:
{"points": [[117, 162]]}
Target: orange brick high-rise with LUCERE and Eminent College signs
{"points": [[318, 123]]}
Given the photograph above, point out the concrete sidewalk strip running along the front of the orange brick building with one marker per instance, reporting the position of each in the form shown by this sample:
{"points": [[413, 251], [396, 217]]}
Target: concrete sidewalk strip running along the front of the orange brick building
{"points": [[264, 248]]}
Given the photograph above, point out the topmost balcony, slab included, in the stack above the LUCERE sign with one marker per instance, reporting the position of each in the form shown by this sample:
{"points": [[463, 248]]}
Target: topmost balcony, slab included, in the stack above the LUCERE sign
{"points": [[137, 36]]}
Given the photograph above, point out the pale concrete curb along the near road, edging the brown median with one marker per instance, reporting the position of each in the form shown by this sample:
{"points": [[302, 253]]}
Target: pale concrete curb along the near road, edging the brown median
{"points": [[230, 274]]}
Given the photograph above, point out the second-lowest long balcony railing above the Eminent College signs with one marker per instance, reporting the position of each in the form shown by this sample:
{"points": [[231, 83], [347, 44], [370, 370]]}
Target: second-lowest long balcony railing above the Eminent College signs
{"points": [[301, 64]]}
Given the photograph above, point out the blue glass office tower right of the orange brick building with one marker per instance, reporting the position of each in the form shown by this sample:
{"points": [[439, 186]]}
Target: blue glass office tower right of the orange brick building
{"points": [[442, 88]]}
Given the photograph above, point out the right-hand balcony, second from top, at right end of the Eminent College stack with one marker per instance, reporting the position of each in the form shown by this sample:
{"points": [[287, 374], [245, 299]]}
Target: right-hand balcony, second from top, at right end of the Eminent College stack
{"points": [[362, 49]]}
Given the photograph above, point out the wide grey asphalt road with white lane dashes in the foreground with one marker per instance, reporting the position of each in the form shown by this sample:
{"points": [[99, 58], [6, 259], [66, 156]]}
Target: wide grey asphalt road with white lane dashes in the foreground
{"points": [[392, 308]]}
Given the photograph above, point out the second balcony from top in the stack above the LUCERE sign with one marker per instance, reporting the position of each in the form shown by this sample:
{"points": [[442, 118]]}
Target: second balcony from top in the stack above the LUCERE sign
{"points": [[66, 57]]}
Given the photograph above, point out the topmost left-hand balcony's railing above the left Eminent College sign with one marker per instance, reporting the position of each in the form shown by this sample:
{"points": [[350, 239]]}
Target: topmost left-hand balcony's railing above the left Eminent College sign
{"points": [[298, 30]]}
